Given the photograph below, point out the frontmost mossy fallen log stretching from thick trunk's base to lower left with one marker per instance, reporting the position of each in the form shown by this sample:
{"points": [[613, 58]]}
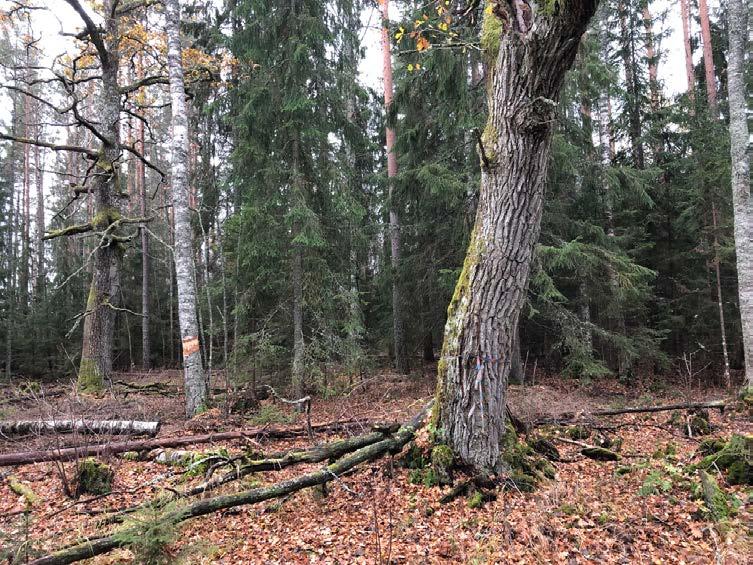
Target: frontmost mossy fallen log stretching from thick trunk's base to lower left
{"points": [[98, 546]]}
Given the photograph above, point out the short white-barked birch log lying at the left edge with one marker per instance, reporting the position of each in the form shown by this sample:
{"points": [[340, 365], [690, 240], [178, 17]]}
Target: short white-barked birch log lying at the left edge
{"points": [[113, 427]]}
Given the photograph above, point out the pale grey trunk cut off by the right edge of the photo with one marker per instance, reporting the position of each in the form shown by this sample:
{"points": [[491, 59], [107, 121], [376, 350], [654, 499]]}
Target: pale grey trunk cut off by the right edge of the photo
{"points": [[741, 197]]}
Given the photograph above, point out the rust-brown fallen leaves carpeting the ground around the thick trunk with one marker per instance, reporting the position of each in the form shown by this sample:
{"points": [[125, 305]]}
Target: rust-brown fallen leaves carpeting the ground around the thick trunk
{"points": [[591, 514]]}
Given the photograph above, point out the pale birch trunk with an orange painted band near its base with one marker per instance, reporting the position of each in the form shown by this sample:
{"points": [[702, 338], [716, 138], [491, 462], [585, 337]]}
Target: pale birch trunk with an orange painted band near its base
{"points": [[195, 385]]}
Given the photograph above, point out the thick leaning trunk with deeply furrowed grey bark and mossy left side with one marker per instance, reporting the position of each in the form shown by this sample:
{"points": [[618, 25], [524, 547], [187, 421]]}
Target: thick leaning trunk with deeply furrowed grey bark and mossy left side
{"points": [[527, 65]]}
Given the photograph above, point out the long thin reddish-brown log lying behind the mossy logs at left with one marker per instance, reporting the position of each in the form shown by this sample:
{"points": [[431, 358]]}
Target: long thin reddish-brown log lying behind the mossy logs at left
{"points": [[71, 453]]}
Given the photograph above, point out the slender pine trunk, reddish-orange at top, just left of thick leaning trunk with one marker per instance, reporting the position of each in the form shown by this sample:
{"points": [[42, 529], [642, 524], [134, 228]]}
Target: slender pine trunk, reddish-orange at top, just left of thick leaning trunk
{"points": [[398, 330]]}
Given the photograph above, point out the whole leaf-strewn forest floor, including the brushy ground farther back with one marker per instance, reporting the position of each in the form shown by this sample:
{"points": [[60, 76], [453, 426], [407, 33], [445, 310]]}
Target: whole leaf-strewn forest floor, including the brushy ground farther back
{"points": [[637, 510]]}
